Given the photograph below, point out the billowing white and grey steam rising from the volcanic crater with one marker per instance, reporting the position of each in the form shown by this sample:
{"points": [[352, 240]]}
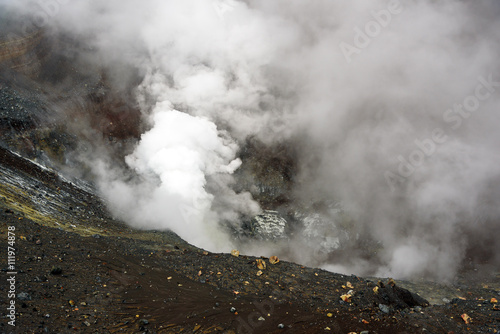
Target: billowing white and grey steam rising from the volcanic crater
{"points": [[394, 107]]}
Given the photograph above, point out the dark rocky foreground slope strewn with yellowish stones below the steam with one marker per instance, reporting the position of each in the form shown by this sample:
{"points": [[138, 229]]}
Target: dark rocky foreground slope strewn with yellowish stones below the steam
{"points": [[81, 271]]}
